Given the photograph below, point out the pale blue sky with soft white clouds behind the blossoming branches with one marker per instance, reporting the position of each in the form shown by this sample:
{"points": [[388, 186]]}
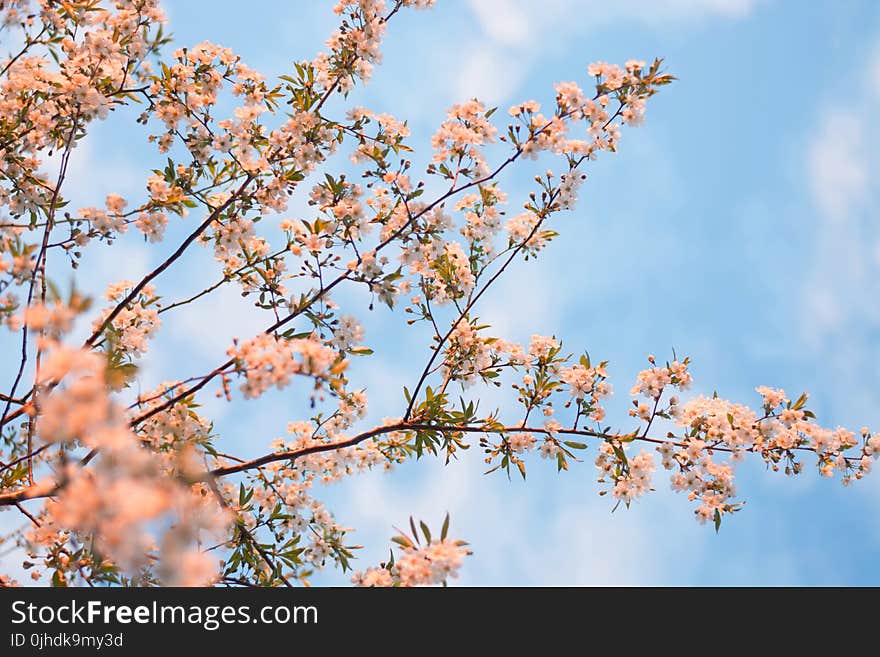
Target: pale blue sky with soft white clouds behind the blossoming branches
{"points": [[736, 226]]}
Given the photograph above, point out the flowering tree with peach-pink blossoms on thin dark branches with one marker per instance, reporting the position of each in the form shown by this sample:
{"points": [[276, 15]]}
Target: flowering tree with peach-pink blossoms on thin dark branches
{"points": [[117, 487]]}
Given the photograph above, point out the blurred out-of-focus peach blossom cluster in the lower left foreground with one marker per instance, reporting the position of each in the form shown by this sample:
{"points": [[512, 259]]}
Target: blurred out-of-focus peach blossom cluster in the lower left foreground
{"points": [[115, 506]]}
